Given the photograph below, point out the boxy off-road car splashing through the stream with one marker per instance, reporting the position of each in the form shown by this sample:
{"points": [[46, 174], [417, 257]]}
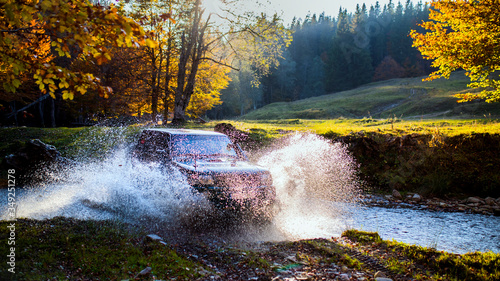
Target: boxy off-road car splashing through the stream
{"points": [[212, 164]]}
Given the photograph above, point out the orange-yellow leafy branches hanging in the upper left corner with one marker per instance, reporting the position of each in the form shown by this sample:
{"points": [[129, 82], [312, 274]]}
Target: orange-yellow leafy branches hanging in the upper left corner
{"points": [[75, 29]]}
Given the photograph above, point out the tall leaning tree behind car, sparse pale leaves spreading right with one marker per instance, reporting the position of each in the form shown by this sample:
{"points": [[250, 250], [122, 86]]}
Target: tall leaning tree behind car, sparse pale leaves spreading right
{"points": [[255, 39]]}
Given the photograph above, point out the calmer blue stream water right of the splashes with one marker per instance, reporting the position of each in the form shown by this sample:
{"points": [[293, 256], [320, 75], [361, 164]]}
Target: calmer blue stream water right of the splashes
{"points": [[451, 232]]}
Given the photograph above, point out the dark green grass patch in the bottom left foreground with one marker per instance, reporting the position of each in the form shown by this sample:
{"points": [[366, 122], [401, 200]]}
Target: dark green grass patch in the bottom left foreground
{"points": [[68, 249]]}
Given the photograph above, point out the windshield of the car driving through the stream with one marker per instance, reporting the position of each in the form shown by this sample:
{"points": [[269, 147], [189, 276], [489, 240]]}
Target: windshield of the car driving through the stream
{"points": [[187, 145]]}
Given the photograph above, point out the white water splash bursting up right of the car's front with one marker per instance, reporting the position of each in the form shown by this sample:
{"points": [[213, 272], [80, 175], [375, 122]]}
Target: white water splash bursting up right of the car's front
{"points": [[315, 185]]}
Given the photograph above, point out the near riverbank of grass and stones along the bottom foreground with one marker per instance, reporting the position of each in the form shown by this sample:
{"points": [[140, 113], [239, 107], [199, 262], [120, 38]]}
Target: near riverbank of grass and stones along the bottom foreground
{"points": [[65, 248]]}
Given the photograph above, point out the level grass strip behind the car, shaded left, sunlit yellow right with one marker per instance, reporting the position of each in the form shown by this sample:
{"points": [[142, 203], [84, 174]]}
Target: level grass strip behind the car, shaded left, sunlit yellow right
{"points": [[72, 141]]}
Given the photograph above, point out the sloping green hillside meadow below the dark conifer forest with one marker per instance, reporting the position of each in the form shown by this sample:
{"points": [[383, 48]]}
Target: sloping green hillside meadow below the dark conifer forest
{"points": [[405, 98]]}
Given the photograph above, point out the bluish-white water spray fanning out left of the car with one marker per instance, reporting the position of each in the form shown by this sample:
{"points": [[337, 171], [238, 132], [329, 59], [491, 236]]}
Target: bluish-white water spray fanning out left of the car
{"points": [[116, 187]]}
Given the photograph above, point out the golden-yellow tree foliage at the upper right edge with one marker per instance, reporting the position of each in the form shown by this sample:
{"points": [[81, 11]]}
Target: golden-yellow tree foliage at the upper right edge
{"points": [[464, 34]]}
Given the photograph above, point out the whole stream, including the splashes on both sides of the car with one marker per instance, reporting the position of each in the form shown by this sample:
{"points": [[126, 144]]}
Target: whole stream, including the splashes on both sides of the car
{"points": [[316, 185]]}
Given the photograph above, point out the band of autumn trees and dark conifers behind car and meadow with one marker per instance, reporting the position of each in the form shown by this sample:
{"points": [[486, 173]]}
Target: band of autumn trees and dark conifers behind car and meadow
{"points": [[169, 61]]}
